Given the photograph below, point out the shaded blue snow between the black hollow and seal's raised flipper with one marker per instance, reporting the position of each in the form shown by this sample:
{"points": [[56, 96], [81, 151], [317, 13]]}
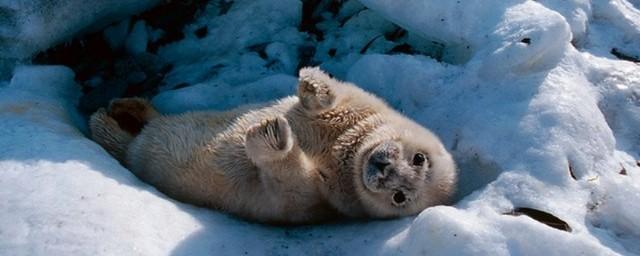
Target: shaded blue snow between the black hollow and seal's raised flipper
{"points": [[235, 58]]}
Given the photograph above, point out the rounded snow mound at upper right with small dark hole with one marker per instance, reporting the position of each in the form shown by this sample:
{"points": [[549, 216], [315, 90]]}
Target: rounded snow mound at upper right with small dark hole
{"points": [[514, 36]]}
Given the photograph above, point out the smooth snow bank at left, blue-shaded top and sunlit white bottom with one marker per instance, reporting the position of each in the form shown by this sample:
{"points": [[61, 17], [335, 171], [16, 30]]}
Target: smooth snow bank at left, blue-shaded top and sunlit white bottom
{"points": [[63, 194]]}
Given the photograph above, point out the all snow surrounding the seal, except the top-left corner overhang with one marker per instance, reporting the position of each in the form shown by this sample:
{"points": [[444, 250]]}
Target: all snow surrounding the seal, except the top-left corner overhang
{"points": [[521, 117]]}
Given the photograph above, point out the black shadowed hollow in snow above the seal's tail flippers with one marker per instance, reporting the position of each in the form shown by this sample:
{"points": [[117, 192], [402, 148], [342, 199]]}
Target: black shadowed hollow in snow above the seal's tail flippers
{"points": [[91, 57]]}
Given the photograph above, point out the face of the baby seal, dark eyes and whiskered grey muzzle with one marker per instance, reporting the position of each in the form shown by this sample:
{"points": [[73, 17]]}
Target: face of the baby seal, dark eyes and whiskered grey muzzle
{"points": [[404, 175]]}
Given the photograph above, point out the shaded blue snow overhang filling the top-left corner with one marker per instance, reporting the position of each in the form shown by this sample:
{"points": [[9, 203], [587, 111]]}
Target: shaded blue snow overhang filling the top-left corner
{"points": [[28, 27]]}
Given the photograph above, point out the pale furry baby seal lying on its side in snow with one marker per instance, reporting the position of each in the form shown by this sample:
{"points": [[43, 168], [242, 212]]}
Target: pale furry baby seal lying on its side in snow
{"points": [[332, 151]]}
